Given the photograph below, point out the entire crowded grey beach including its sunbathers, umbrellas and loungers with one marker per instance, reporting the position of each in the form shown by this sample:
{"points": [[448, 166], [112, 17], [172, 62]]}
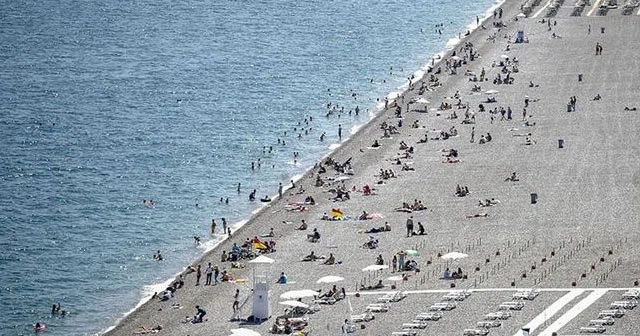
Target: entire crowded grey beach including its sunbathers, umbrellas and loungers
{"points": [[497, 195]]}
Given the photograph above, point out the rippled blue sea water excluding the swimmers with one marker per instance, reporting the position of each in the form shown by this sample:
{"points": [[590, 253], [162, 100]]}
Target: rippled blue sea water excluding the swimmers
{"points": [[107, 103]]}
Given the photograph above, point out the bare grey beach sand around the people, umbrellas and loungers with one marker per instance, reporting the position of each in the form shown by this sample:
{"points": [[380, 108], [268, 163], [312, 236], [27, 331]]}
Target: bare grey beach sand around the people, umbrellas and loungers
{"points": [[587, 206]]}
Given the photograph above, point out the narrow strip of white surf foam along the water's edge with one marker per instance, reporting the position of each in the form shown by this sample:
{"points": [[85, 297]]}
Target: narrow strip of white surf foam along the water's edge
{"points": [[377, 113]]}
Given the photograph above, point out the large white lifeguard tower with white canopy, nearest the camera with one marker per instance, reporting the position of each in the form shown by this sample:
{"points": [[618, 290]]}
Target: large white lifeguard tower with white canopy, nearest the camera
{"points": [[261, 301]]}
